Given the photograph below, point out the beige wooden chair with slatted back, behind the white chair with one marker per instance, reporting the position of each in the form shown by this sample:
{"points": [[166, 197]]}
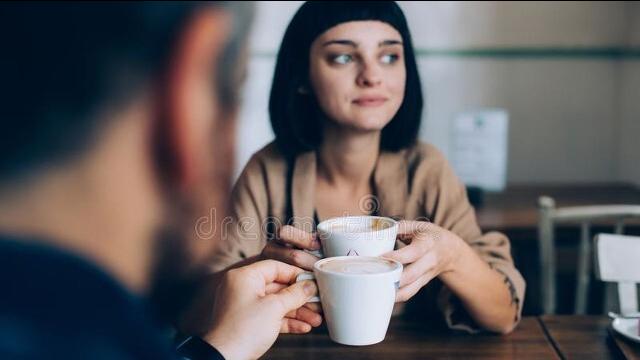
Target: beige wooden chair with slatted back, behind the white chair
{"points": [[549, 216]]}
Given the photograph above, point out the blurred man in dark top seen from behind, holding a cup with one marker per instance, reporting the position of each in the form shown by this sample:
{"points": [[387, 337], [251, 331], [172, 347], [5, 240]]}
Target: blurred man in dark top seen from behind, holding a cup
{"points": [[115, 136]]}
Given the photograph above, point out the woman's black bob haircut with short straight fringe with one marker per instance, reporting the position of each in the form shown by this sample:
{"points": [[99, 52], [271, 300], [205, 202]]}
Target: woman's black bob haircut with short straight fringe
{"points": [[295, 117]]}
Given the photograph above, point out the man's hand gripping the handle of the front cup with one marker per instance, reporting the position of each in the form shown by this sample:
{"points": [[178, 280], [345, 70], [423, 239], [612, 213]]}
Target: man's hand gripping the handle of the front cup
{"points": [[256, 302]]}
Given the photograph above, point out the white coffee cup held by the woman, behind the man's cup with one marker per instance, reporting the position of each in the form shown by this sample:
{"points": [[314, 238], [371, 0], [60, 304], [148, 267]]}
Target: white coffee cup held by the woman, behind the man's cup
{"points": [[357, 236]]}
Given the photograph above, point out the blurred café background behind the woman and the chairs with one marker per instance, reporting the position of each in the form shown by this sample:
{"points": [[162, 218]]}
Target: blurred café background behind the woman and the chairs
{"points": [[566, 74]]}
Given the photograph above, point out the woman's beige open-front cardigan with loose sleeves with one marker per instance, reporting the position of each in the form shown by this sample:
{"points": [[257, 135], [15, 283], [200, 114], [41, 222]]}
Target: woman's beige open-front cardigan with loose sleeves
{"points": [[414, 183]]}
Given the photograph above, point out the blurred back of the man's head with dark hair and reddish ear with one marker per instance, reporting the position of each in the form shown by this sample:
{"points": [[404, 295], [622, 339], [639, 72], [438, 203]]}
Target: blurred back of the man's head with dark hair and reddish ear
{"points": [[141, 97]]}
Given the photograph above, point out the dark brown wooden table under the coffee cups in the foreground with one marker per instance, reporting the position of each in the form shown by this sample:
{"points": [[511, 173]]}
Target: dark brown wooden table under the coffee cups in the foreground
{"points": [[557, 337]]}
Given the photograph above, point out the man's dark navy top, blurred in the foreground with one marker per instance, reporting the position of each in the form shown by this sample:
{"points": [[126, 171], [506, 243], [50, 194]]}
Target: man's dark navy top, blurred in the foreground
{"points": [[56, 305]]}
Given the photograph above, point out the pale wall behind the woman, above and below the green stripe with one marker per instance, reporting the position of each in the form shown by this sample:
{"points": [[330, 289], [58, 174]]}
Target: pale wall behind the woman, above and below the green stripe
{"points": [[566, 122]]}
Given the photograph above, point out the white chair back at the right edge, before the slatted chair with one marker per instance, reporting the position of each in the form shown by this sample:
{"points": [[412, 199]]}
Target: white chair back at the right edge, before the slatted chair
{"points": [[616, 260]]}
